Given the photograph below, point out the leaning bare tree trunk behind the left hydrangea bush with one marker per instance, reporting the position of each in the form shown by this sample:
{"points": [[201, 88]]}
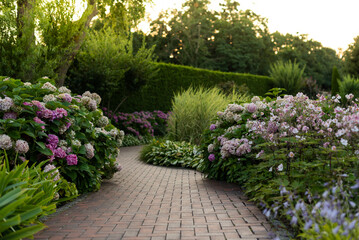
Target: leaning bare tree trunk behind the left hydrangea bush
{"points": [[67, 59]]}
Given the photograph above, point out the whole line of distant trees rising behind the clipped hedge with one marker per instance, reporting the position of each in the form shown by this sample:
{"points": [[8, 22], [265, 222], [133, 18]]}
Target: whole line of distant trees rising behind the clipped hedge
{"points": [[234, 40]]}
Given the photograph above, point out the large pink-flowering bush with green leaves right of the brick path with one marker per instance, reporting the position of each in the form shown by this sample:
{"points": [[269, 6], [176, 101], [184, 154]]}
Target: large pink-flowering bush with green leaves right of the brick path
{"points": [[290, 142]]}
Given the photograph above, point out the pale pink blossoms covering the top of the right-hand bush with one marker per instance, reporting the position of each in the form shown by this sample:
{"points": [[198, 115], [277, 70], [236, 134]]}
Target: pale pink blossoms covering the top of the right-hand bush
{"points": [[290, 116]]}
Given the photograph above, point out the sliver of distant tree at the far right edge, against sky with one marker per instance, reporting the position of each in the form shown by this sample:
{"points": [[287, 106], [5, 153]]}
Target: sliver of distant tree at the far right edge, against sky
{"points": [[351, 58]]}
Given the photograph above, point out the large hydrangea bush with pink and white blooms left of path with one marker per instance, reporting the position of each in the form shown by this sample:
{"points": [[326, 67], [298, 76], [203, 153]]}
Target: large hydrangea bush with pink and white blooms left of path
{"points": [[40, 122]]}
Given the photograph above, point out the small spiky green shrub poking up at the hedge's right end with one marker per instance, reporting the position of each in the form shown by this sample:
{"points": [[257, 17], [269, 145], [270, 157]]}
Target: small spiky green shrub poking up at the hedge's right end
{"points": [[288, 76]]}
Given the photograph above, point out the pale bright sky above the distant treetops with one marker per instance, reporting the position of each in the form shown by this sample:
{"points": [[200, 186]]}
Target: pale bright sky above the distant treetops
{"points": [[334, 23]]}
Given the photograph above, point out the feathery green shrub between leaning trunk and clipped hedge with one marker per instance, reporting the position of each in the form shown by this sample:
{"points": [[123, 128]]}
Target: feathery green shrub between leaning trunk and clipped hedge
{"points": [[109, 56]]}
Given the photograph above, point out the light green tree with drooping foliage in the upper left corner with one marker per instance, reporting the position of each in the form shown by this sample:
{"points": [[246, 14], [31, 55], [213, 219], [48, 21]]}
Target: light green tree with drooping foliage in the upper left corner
{"points": [[58, 36]]}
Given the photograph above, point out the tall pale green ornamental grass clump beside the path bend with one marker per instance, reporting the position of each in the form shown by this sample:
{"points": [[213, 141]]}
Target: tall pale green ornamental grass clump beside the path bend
{"points": [[192, 112]]}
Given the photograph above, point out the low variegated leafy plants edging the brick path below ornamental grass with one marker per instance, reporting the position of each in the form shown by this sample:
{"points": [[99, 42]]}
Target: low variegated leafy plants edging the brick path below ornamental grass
{"points": [[168, 153]]}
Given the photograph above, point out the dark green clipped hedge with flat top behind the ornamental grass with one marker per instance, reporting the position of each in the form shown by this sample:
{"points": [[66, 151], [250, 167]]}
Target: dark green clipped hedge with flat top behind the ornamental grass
{"points": [[157, 94]]}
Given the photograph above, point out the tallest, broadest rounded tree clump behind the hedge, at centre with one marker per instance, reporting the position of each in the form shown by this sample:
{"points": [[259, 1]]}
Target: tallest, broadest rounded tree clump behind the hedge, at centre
{"points": [[231, 40]]}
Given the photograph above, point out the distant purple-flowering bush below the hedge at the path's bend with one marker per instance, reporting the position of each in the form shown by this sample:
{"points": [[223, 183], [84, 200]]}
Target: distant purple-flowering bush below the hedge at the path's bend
{"points": [[140, 124]]}
